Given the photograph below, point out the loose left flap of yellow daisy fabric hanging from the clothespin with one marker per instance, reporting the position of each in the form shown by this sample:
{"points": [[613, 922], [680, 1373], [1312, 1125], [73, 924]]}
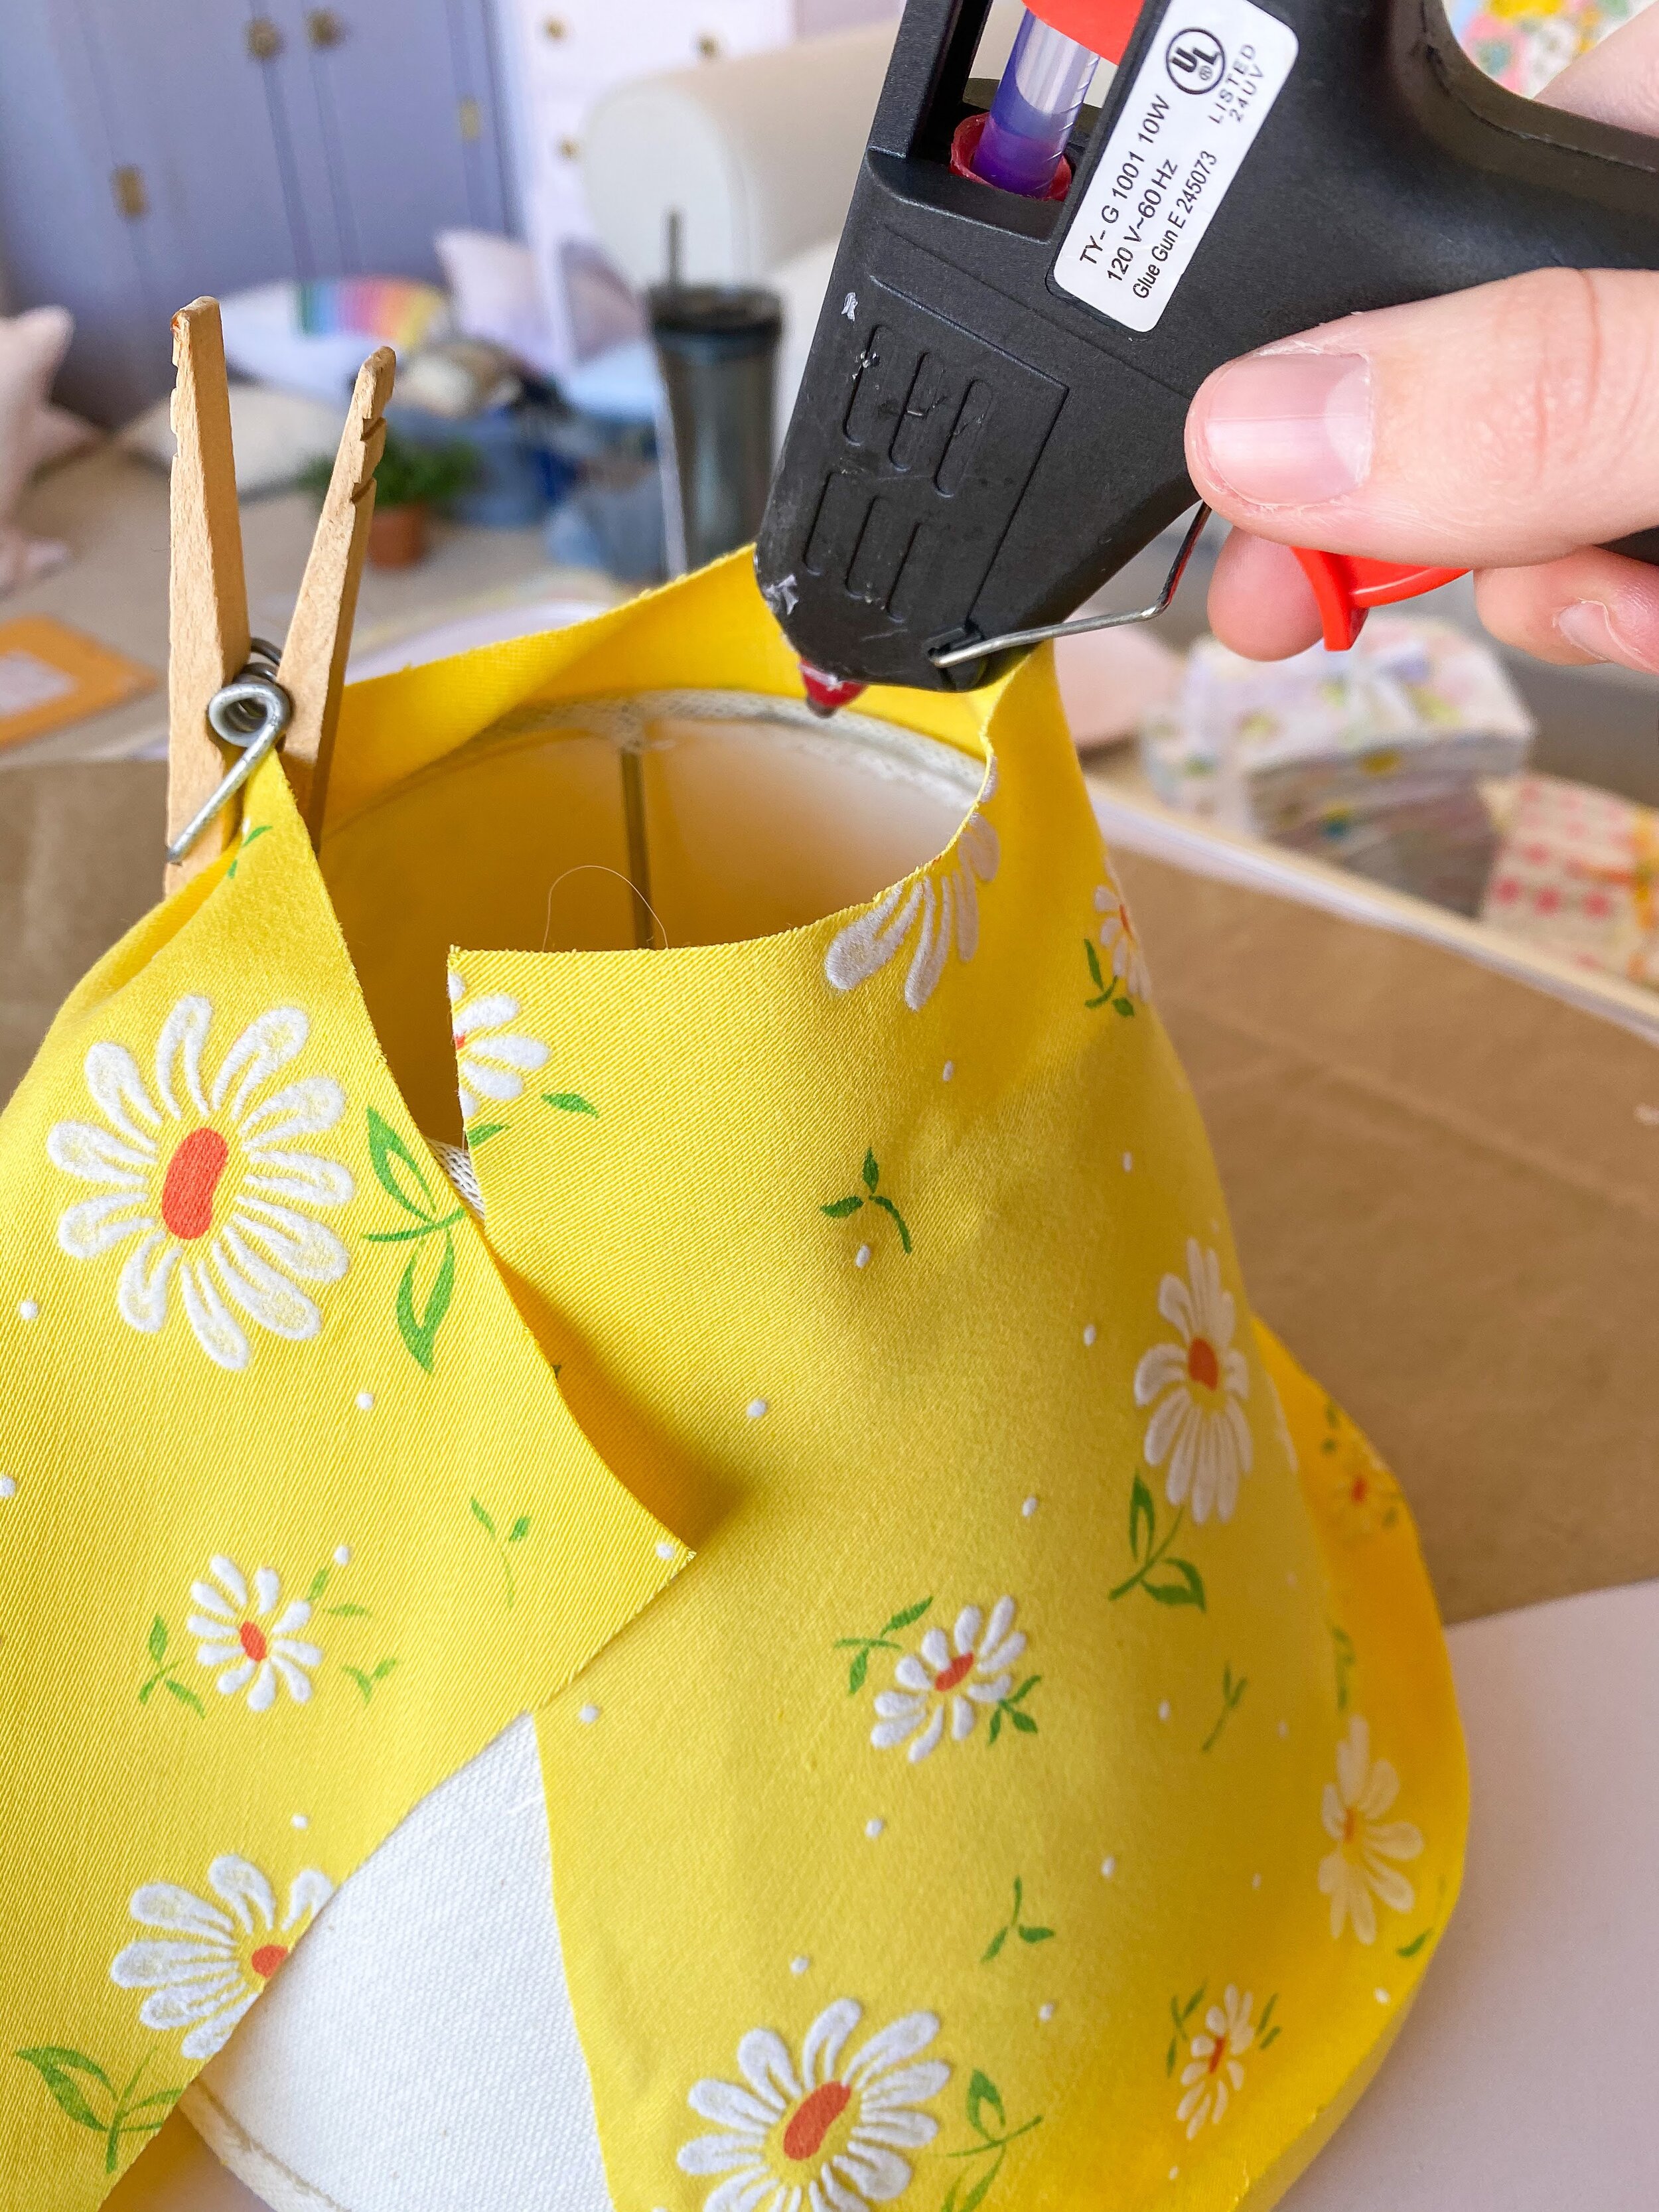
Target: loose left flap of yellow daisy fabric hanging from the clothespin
{"points": [[275, 1552]]}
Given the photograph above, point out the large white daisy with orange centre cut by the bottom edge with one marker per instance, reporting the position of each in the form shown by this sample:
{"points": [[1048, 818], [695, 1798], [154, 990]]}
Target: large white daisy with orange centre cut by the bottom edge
{"points": [[824, 2133]]}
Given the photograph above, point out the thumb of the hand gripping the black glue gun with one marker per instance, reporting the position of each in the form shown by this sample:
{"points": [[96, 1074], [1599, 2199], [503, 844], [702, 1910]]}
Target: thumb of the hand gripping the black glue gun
{"points": [[1492, 428]]}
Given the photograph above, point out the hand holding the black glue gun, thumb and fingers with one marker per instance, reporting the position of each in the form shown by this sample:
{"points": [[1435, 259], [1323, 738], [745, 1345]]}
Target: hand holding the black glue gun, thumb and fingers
{"points": [[1510, 430]]}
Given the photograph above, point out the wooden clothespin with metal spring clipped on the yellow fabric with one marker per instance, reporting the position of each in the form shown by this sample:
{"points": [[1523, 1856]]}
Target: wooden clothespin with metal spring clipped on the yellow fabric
{"points": [[209, 620]]}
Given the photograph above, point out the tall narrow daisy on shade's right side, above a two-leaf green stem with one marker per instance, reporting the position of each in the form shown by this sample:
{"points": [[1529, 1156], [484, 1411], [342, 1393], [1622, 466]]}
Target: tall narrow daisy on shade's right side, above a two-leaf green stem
{"points": [[1198, 1392]]}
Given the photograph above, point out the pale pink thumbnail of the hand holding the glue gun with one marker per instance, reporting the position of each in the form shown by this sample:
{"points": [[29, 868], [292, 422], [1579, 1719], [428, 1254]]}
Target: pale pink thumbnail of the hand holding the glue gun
{"points": [[1291, 430]]}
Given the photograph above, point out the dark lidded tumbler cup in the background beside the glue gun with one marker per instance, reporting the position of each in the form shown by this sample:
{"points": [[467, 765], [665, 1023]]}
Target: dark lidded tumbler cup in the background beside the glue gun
{"points": [[718, 348]]}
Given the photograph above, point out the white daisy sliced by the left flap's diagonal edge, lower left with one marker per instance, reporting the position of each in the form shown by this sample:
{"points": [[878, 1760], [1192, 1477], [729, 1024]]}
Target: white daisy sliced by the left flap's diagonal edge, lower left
{"points": [[207, 1963]]}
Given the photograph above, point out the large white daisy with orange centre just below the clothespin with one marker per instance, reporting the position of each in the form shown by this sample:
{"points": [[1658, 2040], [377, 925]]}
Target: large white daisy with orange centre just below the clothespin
{"points": [[209, 1180]]}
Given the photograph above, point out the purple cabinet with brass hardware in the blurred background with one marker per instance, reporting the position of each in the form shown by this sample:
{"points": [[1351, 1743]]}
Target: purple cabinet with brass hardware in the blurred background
{"points": [[158, 149]]}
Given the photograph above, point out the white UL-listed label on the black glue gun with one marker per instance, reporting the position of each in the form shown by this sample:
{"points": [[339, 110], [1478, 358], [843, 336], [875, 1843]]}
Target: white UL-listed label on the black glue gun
{"points": [[1202, 94]]}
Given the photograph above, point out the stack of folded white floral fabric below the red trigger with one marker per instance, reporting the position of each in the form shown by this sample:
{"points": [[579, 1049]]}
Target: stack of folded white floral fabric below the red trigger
{"points": [[1373, 758]]}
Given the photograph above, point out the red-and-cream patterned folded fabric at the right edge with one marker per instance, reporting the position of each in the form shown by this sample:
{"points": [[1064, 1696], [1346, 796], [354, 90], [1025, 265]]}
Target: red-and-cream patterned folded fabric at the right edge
{"points": [[1578, 875]]}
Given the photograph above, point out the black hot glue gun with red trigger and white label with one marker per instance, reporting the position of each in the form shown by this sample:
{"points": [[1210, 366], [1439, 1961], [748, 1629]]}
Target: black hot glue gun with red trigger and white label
{"points": [[1021, 311]]}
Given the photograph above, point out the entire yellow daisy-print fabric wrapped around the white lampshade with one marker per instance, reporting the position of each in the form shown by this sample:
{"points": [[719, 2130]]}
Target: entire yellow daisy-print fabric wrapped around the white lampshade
{"points": [[1045, 1788]]}
